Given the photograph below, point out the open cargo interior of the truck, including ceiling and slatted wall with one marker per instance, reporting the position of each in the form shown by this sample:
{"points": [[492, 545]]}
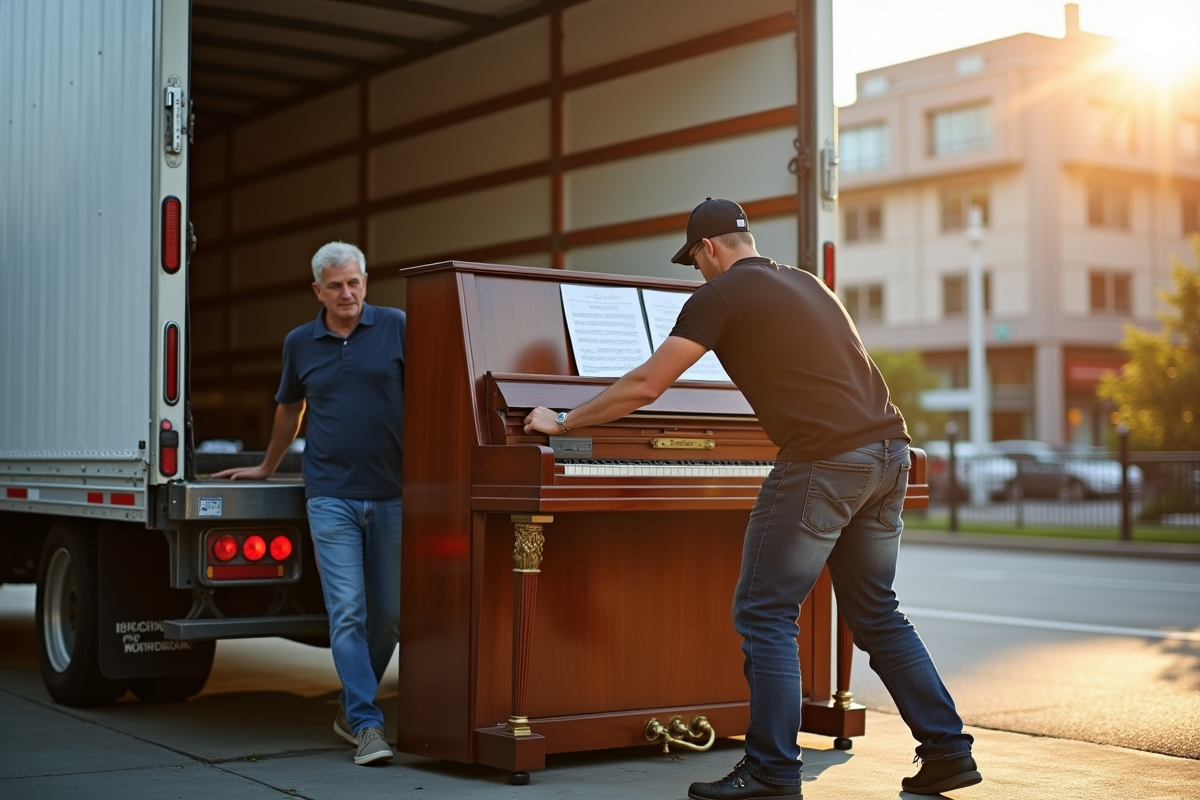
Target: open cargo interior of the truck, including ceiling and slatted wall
{"points": [[574, 135]]}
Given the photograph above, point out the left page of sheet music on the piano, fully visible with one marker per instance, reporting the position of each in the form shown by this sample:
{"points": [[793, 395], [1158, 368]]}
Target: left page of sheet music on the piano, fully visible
{"points": [[608, 329]]}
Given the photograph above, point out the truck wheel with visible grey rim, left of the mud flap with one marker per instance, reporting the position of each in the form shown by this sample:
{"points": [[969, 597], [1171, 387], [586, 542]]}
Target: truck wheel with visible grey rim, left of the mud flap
{"points": [[68, 634]]}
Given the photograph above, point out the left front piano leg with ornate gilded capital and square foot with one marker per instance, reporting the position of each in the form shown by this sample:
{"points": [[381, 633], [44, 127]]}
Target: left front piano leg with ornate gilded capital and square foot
{"points": [[515, 747]]}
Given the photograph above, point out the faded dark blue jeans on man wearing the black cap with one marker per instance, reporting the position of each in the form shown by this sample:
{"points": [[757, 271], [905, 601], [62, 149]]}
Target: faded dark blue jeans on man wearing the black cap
{"points": [[844, 512]]}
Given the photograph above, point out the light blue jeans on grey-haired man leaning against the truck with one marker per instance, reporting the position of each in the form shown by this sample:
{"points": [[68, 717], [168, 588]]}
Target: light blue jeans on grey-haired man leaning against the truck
{"points": [[358, 556]]}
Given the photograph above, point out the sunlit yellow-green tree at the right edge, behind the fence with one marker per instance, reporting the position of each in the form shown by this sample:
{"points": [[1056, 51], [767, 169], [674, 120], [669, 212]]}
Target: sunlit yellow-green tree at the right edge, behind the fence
{"points": [[1159, 390]]}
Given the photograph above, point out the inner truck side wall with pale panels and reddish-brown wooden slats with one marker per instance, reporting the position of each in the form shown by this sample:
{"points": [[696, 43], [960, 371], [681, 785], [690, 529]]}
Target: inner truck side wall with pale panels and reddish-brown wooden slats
{"points": [[578, 141]]}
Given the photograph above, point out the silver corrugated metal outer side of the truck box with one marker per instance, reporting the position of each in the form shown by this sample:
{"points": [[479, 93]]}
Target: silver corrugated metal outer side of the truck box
{"points": [[76, 255]]}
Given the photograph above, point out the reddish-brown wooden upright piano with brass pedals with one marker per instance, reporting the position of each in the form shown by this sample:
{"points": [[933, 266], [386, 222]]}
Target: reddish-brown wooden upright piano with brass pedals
{"points": [[574, 593]]}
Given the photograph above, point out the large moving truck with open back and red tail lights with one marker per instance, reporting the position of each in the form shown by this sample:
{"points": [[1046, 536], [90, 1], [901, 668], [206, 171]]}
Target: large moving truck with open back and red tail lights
{"points": [[563, 135]]}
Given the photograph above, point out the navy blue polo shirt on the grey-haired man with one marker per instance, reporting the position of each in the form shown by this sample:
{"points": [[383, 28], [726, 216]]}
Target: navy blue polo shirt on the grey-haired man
{"points": [[355, 388]]}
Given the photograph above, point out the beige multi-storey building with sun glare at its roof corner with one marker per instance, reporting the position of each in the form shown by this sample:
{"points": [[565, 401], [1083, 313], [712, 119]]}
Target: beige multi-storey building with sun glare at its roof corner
{"points": [[1088, 177]]}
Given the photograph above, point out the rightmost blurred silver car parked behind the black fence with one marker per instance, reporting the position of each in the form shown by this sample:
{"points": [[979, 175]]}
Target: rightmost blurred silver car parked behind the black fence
{"points": [[1071, 474]]}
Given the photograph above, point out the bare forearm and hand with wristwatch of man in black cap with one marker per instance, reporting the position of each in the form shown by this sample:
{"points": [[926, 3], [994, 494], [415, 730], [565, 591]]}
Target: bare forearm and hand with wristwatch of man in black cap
{"points": [[635, 389]]}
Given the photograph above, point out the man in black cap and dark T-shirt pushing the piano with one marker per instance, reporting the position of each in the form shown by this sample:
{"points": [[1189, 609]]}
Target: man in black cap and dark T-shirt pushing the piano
{"points": [[835, 497]]}
